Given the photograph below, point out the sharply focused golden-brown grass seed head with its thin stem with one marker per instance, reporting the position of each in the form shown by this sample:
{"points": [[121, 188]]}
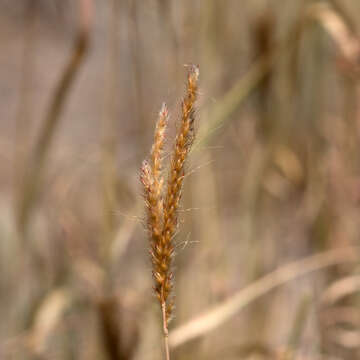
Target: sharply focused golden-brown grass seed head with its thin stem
{"points": [[162, 205]]}
